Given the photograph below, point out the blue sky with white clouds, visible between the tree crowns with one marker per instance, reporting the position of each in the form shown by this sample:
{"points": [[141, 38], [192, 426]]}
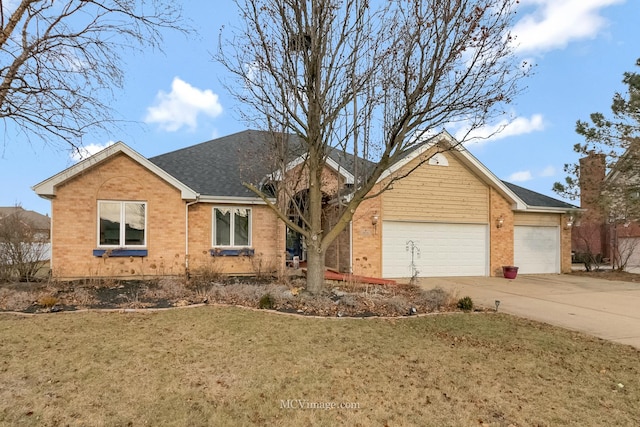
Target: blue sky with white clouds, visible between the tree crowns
{"points": [[580, 49]]}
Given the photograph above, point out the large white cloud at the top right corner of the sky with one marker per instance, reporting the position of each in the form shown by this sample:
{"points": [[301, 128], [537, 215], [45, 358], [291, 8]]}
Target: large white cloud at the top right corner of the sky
{"points": [[555, 23]]}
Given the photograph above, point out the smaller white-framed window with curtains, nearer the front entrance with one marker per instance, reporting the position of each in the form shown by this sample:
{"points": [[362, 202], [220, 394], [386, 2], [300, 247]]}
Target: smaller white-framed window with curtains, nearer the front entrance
{"points": [[231, 226]]}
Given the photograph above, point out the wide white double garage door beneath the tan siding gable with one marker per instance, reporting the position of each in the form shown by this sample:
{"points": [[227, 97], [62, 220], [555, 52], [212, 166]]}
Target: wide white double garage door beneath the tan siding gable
{"points": [[438, 249]]}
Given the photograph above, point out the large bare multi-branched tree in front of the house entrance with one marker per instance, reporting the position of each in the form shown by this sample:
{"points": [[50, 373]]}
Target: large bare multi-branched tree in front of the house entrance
{"points": [[369, 79]]}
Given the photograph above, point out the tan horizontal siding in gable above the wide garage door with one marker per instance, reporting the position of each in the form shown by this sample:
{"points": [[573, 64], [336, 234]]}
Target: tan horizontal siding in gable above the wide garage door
{"points": [[438, 193]]}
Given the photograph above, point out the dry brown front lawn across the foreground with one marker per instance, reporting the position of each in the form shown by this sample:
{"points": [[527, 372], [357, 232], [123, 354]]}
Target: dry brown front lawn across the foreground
{"points": [[230, 366]]}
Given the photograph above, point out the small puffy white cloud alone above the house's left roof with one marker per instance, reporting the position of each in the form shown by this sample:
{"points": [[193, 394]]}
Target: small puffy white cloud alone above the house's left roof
{"points": [[182, 105]]}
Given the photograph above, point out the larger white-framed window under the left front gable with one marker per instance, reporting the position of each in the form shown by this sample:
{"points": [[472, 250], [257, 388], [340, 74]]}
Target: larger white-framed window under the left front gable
{"points": [[122, 224]]}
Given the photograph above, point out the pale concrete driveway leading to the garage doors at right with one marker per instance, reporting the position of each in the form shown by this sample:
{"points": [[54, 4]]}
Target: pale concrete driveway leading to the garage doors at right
{"points": [[606, 309]]}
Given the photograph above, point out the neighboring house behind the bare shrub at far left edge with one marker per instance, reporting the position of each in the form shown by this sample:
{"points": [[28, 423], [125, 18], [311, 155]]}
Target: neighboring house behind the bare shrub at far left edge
{"points": [[35, 227]]}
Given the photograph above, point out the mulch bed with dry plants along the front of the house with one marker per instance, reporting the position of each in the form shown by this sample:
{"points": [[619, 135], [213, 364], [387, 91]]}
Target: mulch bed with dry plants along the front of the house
{"points": [[338, 300]]}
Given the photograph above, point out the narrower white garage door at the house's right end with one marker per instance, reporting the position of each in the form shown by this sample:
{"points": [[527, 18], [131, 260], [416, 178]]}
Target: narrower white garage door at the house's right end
{"points": [[536, 249]]}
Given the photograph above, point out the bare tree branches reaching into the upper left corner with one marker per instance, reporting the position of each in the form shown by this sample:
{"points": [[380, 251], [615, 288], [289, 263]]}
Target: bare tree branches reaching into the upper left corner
{"points": [[60, 61]]}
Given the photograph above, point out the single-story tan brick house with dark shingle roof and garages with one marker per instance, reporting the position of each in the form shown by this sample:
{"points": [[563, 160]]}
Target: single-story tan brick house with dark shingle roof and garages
{"points": [[120, 214]]}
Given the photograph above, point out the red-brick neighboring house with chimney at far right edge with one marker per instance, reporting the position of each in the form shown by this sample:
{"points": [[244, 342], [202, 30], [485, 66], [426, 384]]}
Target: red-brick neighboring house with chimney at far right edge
{"points": [[608, 228]]}
